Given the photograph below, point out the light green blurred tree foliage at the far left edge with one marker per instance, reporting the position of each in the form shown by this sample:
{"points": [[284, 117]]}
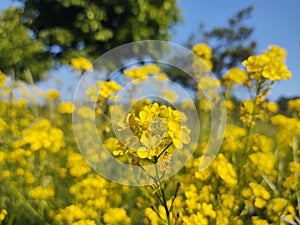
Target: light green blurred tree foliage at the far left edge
{"points": [[21, 56]]}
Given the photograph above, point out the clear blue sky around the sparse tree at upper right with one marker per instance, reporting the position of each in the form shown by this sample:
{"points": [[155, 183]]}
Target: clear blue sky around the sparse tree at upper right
{"points": [[275, 22]]}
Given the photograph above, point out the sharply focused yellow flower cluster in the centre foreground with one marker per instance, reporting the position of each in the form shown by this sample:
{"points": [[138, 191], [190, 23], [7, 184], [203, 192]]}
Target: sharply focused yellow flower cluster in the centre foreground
{"points": [[156, 128]]}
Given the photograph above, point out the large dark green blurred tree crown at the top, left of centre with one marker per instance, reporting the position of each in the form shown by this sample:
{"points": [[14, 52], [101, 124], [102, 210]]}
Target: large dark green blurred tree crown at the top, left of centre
{"points": [[91, 27]]}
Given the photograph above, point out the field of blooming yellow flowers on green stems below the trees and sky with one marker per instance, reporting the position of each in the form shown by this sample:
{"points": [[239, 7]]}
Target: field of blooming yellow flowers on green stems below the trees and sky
{"points": [[254, 179]]}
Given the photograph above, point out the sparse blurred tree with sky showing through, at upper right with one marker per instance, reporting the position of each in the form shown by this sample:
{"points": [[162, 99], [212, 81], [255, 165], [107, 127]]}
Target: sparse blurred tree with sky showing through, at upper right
{"points": [[231, 44]]}
